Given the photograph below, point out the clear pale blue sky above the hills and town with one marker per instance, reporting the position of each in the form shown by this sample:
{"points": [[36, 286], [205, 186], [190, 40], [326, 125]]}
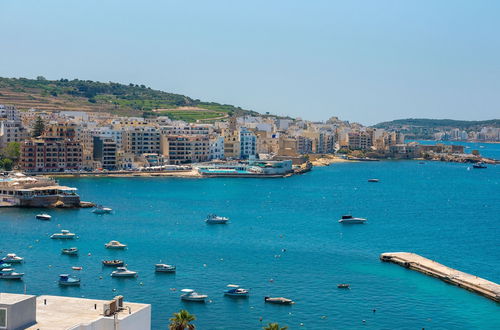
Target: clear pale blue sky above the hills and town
{"points": [[365, 61]]}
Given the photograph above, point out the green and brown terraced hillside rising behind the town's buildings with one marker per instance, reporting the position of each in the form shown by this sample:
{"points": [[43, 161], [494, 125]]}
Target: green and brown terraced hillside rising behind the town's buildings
{"points": [[120, 99]]}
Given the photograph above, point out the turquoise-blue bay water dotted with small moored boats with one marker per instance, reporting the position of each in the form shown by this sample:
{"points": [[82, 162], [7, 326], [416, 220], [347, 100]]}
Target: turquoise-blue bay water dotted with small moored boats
{"points": [[444, 211]]}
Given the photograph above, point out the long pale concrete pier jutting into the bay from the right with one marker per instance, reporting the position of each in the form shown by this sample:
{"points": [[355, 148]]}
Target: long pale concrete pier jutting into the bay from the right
{"points": [[429, 267]]}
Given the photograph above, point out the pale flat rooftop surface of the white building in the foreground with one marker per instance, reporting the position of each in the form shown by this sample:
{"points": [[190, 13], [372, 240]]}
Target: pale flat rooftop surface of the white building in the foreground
{"points": [[67, 312]]}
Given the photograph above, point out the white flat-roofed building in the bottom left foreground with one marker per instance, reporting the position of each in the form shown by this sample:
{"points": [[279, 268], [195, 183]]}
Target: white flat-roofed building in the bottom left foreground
{"points": [[18, 311]]}
